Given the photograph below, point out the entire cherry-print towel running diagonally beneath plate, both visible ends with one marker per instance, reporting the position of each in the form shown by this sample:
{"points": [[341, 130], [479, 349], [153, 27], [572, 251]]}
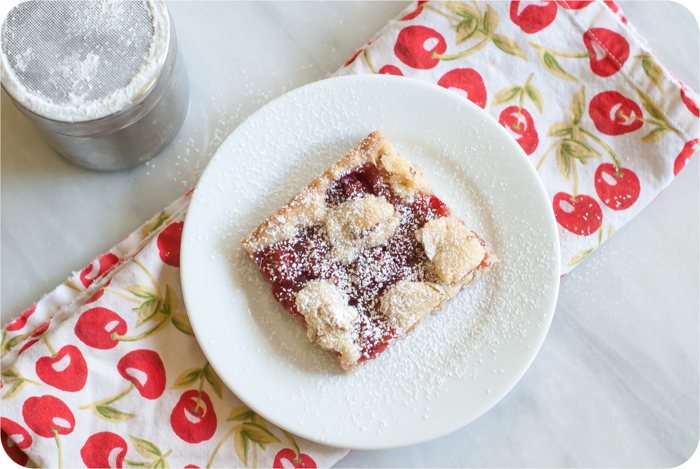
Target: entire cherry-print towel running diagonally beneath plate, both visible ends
{"points": [[104, 371]]}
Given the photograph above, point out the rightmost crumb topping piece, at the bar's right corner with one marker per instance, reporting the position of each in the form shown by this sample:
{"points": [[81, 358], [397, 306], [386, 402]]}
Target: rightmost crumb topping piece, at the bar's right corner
{"points": [[454, 250]]}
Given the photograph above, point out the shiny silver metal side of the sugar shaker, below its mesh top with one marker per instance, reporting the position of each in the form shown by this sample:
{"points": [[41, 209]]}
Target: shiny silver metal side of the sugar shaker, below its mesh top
{"points": [[131, 135]]}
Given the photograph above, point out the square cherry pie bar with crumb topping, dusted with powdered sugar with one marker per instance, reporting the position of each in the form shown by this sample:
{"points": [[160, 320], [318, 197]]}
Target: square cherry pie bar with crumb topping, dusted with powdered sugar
{"points": [[366, 252]]}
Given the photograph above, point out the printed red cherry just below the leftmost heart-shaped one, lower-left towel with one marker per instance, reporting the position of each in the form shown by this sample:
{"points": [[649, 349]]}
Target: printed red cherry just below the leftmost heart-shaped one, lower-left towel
{"points": [[46, 415]]}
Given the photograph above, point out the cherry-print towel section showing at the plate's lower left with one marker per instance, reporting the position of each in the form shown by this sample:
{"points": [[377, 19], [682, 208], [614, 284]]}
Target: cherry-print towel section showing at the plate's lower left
{"points": [[105, 372]]}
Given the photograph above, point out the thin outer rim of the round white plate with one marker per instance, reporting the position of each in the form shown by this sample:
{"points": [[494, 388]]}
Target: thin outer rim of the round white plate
{"points": [[220, 153]]}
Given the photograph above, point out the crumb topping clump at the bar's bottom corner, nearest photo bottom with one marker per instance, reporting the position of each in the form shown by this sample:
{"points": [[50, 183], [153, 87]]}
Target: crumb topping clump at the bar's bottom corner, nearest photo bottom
{"points": [[328, 318]]}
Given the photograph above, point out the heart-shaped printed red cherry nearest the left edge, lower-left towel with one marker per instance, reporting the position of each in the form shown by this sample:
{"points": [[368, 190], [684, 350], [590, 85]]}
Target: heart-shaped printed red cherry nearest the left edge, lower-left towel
{"points": [[66, 371]]}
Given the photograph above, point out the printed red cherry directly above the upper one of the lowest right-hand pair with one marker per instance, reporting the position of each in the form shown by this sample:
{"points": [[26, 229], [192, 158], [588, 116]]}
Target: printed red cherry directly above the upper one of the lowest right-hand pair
{"points": [[613, 114]]}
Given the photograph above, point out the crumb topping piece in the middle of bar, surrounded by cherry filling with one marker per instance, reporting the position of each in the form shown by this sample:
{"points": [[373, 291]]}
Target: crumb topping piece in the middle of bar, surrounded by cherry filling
{"points": [[358, 224]]}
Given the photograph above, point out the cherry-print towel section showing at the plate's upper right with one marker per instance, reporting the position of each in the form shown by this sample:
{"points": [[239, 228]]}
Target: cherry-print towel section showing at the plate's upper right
{"points": [[606, 126]]}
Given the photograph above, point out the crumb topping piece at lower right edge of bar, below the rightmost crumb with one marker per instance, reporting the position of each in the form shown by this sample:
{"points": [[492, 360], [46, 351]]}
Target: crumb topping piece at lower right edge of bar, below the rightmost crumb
{"points": [[406, 304]]}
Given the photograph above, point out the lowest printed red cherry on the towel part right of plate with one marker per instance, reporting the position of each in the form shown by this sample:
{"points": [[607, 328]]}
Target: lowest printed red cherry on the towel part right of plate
{"points": [[581, 214]]}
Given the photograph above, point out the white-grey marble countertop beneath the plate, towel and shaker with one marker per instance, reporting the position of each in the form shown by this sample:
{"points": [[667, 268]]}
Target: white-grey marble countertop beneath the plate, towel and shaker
{"points": [[616, 382]]}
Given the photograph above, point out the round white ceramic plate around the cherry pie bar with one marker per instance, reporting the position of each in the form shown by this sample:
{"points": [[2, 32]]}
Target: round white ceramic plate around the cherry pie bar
{"points": [[460, 362]]}
